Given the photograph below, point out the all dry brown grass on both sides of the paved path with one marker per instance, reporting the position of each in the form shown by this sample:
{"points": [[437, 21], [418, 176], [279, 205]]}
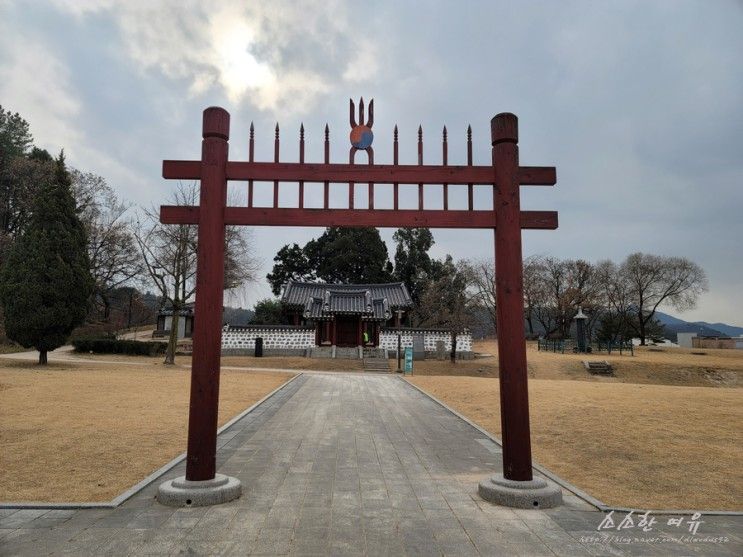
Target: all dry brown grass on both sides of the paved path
{"points": [[665, 431]]}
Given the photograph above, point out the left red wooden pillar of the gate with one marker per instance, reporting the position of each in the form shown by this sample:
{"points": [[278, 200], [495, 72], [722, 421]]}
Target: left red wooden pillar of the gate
{"points": [[207, 336]]}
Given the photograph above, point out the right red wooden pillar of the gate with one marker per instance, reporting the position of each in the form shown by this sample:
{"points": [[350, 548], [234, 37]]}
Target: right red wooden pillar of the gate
{"points": [[514, 397]]}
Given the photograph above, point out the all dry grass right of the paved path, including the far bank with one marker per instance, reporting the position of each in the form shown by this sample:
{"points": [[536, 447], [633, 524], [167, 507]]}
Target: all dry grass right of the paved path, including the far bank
{"points": [[650, 437]]}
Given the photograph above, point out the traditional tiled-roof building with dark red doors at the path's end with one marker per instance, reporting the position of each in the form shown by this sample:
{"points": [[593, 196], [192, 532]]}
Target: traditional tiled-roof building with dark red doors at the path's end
{"points": [[341, 313]]}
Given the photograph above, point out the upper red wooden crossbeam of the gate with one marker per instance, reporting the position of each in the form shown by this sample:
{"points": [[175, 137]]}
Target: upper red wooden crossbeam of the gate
{"points": [[378, 173]]}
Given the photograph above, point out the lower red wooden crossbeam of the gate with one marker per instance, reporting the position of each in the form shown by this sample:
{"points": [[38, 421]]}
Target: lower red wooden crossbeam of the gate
{"points": [[381, 218]]}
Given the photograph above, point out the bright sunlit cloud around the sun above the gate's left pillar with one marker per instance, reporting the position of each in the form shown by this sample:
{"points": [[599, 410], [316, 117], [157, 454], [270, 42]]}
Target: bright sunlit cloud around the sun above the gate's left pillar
{"points": [[279, 56]]}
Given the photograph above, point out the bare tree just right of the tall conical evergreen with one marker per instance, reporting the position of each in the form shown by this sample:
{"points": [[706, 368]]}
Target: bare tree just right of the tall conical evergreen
{"points": [[112, 249]]}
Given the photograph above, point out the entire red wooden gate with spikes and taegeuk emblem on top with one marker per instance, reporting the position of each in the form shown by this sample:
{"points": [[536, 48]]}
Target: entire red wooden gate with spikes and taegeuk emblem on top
{"points": [[506, 219]]}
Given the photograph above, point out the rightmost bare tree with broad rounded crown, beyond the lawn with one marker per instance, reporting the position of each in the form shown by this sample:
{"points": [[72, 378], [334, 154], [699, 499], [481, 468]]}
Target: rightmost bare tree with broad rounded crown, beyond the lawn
{"points": [[653, 280]]}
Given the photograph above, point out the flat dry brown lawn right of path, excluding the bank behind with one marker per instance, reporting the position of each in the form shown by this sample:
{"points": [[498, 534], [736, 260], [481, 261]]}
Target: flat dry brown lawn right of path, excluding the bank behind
{"points": [[645, 446]]}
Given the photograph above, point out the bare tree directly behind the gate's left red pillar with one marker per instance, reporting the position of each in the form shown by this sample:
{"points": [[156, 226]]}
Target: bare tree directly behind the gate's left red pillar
{"points": [[169, 254]]}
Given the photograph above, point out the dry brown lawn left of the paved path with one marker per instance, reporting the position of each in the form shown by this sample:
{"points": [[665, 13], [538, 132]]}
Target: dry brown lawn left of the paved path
{"points": [[86, 432]]}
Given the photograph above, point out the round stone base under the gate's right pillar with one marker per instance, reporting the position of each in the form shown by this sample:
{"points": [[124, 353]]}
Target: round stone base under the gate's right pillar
{"points": [[534, 494]]}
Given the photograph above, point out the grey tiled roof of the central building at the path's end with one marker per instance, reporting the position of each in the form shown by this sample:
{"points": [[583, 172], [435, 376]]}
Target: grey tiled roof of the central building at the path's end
{"points": [[371, 301]]}
